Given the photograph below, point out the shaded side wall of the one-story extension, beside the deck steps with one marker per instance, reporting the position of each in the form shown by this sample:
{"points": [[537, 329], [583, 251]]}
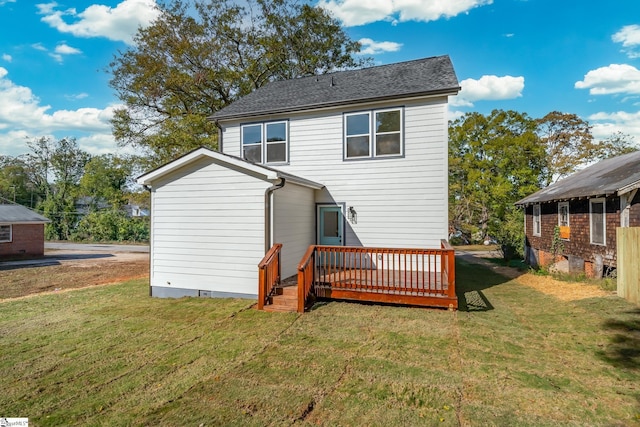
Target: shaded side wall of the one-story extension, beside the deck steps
{"points": [[294, 224]]}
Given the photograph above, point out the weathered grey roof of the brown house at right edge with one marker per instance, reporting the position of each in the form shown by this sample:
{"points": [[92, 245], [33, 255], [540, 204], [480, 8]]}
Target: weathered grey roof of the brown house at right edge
{"points": [[617, 175]]}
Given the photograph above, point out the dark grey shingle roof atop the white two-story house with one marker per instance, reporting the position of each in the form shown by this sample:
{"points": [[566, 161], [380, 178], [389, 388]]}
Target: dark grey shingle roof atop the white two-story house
{"points": [[421, 77]]}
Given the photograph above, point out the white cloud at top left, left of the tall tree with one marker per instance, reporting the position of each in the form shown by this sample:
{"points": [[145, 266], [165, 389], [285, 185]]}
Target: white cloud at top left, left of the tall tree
{"points": [[119, 23]]}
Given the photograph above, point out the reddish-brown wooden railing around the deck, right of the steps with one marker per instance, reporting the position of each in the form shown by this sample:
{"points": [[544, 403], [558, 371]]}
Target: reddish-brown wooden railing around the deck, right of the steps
{"points": [[395, 275]]}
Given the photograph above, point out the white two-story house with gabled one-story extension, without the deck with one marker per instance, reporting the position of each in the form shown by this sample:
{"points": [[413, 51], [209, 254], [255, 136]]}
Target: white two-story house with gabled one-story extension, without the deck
{"points": [[353, 158]]}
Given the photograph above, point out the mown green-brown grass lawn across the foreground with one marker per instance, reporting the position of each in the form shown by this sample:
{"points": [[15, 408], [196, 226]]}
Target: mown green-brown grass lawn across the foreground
{"points": [[511, 356]]}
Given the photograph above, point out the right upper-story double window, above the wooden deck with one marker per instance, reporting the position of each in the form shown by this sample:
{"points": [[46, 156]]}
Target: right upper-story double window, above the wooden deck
{"points": [[376, 133]]}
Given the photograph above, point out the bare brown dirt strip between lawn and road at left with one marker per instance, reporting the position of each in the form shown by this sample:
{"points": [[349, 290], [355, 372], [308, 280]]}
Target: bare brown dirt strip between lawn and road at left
{"points": [[71, 270]]}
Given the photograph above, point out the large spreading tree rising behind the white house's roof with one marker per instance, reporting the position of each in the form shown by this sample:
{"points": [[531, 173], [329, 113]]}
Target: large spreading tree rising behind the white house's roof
{"points": [[198, 57]]}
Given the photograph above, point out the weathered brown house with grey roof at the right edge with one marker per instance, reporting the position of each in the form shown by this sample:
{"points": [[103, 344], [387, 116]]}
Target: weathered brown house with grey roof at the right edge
{"points": [[587, 207]]}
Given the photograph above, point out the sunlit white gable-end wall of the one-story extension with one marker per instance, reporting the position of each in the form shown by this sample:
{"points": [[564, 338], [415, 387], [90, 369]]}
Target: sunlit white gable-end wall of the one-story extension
{"points": [[208, 229]]}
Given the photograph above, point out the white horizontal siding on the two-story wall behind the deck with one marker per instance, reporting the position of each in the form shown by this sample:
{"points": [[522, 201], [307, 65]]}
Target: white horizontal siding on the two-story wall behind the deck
{"points": [[400, 201]]}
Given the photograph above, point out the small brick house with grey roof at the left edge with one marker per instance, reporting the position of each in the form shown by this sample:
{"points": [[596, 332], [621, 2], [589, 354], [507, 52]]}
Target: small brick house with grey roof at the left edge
{"points": [[21, 232]]}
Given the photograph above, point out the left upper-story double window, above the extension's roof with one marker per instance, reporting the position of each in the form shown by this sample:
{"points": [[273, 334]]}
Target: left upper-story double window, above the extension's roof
{"points": [[265, 142]]}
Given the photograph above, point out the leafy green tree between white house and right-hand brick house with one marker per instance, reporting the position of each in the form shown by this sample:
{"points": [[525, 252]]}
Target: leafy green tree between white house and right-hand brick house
{"points": [[494, 160]]}
